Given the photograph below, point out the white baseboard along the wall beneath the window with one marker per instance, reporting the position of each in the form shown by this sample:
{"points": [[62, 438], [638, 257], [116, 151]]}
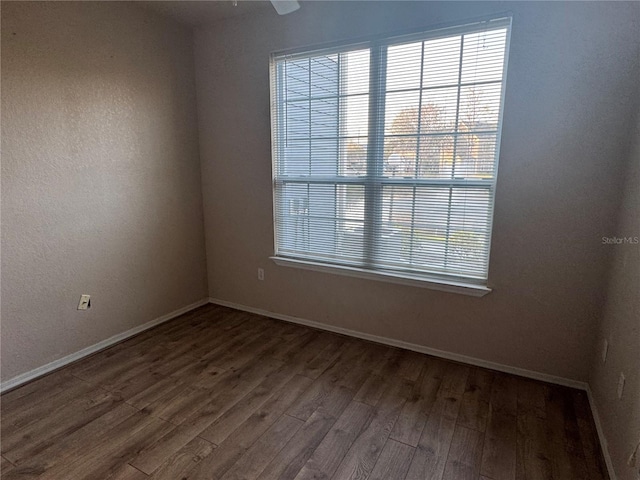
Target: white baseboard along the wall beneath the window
{"points": [[410, 346]]}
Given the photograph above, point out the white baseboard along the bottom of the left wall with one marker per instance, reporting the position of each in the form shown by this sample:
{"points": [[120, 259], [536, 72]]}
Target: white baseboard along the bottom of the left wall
{"points": [[61, 362]]}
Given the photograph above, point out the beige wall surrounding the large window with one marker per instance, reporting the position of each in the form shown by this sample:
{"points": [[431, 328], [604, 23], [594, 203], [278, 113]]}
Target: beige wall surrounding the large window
{"points": [[570, 80]]}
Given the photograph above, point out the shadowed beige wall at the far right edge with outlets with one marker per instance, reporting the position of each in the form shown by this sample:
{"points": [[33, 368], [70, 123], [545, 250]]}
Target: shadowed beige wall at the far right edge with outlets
{"points": [[621, 328]]}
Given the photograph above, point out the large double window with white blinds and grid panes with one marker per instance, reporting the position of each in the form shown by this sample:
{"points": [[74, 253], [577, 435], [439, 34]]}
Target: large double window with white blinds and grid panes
{"points": [[385, 154]]}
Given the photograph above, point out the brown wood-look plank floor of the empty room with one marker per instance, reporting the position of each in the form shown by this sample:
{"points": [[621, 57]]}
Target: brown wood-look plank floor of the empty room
{"points": [[222, 394]]}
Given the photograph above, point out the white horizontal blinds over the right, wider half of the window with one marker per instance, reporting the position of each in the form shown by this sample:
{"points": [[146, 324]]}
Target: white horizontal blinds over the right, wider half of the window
{"points": [[442, 109]]}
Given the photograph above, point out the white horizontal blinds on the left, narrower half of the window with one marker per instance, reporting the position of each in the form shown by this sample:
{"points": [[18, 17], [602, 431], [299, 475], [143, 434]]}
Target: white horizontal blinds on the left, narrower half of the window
{"points": [[321, 155]]}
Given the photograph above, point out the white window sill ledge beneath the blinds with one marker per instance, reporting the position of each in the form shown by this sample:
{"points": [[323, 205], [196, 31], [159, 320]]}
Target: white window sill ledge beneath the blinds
{"points": [[450, 286]]}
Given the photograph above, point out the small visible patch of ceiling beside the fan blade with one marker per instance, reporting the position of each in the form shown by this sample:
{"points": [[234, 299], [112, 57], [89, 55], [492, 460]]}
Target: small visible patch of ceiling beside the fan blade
{"points": [[194, 13]]}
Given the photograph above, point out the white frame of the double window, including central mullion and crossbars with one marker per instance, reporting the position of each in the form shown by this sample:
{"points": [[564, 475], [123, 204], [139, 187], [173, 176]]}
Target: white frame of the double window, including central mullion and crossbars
{"points": [[374, 181]]}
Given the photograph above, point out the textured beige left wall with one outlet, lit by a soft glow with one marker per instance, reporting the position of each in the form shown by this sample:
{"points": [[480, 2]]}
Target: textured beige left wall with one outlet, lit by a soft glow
{"points": [[100, 176]]}
